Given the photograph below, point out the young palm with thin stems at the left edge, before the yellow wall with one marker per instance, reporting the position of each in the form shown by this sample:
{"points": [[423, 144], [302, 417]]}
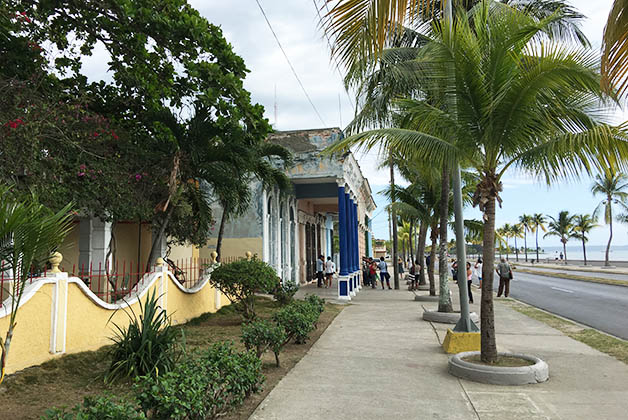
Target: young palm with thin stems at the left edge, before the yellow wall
{"points": [[29, 234]]}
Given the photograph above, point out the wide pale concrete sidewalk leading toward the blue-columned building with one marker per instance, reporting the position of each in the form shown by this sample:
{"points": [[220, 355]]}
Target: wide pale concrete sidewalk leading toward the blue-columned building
{"points": [[379, 359]]}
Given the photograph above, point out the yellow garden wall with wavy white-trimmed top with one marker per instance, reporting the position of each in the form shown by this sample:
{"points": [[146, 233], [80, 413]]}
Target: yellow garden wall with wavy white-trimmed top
{"points": [[88, 325]]}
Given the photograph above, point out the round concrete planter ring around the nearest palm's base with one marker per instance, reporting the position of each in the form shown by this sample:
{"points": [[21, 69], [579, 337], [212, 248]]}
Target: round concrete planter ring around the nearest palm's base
{"points": [[535, 373]]}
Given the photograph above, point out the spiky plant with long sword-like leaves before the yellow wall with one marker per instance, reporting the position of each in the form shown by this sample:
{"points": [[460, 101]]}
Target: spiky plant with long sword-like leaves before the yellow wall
{"points": [[148, 346]]}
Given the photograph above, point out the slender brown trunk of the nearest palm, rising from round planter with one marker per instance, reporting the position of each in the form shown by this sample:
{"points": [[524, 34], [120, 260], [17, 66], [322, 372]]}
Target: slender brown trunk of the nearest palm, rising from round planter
{"points": [[487, 316]]}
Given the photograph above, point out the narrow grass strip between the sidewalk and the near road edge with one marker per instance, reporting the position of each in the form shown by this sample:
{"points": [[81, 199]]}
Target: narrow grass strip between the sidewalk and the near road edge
{"points": [[605, 343]]}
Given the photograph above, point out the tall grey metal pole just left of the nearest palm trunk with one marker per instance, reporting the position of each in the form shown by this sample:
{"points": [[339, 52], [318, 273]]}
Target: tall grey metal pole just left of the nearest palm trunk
{"points": [[464, 323]]}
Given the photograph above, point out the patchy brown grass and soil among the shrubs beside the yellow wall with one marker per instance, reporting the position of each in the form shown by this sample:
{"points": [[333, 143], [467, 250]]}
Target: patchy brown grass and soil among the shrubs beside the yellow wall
{"points": [[66, 380]]}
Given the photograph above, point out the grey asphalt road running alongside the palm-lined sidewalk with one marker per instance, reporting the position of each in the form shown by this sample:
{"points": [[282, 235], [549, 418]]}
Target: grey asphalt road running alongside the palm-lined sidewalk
{"points": [[601, 306]]}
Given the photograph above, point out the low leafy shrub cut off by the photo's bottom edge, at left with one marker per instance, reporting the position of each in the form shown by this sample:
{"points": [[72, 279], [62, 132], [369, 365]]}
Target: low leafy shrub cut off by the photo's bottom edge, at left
{"points": [[101, 408]]}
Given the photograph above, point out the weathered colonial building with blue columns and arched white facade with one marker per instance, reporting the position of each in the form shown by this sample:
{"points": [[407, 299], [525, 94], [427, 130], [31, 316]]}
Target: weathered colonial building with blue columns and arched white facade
{"points": [[327, 213]]}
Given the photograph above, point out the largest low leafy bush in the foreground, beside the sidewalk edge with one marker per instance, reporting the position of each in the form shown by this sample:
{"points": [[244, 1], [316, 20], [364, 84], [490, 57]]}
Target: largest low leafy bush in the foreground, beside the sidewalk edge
{"points": [[206, 387]]}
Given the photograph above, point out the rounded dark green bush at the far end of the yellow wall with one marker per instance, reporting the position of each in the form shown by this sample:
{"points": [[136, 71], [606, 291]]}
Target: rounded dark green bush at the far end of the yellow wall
{"points": [[240, 280]]}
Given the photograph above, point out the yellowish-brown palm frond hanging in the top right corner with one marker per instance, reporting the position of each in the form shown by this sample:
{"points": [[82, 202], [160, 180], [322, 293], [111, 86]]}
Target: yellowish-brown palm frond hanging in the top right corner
{"points": [[615, 49]]}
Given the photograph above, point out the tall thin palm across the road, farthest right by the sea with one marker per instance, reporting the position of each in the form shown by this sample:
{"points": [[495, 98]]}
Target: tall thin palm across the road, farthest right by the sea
{"points": [[614, 188]]}
